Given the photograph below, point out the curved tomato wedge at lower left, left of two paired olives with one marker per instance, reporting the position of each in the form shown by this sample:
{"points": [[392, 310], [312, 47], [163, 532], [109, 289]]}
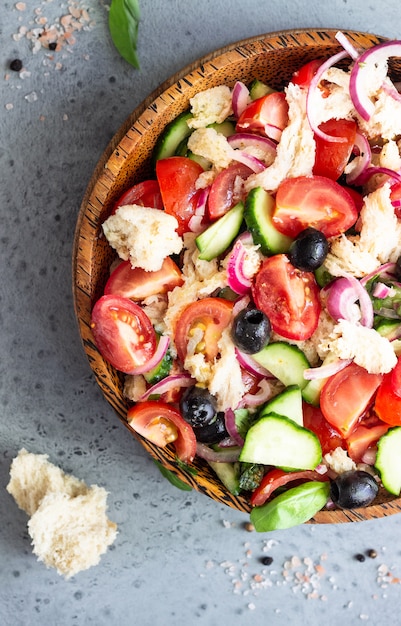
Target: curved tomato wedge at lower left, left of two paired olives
{"points": [[162, 424]]}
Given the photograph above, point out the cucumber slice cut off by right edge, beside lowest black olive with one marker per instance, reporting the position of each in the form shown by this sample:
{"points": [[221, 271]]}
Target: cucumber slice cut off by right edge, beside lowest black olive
{"points": [[388, 460]]}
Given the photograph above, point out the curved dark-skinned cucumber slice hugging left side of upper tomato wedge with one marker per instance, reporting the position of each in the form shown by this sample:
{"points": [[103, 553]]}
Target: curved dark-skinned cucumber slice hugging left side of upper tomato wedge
{"points": [[259, 209]]}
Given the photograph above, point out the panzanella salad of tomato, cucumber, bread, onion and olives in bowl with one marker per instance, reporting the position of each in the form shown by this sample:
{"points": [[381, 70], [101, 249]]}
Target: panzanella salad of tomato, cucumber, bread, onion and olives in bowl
{"points": [[255, 308]]}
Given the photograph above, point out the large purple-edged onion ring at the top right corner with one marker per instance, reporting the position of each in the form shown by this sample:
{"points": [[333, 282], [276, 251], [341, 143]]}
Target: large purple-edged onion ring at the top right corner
{"points": [[378, 54]]}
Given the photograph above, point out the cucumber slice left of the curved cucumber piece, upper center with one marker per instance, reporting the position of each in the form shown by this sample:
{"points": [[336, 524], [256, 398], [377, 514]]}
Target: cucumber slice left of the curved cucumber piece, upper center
{"points": [[216, 239]]}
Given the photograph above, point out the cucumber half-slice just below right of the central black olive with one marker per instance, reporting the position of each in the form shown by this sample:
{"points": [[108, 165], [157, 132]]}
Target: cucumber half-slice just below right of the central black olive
{"points": [[285, 361]]}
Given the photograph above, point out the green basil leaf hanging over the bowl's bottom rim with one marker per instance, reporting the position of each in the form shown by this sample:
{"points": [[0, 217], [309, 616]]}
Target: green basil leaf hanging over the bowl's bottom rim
{"points": [[293, 507]]}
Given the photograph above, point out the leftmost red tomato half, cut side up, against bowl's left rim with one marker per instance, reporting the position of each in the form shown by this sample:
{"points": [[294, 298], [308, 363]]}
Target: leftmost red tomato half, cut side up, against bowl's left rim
{"points": [[123, 333]]}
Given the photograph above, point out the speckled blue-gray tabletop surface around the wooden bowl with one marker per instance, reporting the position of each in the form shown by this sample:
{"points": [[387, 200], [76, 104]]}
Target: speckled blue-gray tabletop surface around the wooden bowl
{"points": [[179, 558]]}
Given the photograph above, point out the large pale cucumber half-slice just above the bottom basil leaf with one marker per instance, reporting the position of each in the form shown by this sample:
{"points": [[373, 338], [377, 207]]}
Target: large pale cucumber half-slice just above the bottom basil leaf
{"points": [[277, 440]]}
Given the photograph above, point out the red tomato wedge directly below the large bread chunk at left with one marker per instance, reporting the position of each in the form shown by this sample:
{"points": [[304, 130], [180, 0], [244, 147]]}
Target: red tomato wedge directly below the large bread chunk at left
{"points": [[138, 284]]}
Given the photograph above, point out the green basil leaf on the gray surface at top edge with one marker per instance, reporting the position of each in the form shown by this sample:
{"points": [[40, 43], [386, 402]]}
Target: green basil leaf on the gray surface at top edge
{"points": [[124, 18]]}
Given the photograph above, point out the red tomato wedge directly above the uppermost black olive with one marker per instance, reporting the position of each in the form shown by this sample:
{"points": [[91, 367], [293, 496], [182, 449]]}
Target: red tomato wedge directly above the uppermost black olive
{"points": [[315, 201]]}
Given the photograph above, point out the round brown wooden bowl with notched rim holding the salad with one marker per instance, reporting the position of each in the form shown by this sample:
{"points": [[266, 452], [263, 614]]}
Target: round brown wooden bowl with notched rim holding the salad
{"points": [[271, 58]]}
